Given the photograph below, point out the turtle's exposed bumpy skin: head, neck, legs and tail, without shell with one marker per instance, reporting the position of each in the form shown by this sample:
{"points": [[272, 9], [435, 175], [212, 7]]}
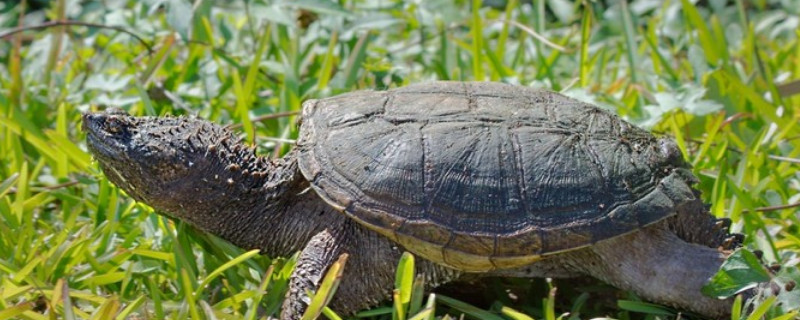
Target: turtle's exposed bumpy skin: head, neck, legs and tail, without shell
{"points": [[200, 173]]}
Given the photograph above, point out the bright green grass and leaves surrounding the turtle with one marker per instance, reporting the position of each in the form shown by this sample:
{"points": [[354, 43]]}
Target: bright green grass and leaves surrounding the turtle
{"points": [[73, 246]]}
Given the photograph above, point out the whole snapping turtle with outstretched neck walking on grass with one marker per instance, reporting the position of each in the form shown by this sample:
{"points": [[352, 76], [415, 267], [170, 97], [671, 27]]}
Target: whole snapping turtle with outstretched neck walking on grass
{"points": [[484, 178]]}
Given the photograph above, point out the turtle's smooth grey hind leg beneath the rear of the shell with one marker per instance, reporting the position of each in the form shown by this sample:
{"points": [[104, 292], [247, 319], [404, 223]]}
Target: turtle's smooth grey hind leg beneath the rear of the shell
{"points": [[658, 266]]}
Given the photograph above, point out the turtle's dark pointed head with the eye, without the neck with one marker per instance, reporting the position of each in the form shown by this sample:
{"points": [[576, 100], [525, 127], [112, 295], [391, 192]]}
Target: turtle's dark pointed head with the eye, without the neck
{"points": [[156, 160]]}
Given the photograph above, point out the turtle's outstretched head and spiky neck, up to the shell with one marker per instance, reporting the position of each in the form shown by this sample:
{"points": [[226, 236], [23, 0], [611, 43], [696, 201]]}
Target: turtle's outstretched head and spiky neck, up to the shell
{"points": [[194, 171]]}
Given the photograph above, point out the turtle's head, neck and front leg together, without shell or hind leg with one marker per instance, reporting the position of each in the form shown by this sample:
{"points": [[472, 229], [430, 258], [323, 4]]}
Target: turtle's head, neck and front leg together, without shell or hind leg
{"points": [[198, 172]]}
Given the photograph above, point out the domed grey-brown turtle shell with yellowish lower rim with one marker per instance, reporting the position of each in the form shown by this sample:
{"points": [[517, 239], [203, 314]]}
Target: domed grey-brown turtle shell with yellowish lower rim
{"points": [[481, 176]]}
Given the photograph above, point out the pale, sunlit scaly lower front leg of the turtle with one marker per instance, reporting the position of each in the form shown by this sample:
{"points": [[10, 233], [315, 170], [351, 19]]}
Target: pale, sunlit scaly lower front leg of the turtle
{"points": [[320, 252]]}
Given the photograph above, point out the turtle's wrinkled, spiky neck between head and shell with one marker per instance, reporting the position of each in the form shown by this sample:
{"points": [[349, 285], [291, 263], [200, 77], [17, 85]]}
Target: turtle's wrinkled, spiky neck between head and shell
{"points": [[251, 201]]}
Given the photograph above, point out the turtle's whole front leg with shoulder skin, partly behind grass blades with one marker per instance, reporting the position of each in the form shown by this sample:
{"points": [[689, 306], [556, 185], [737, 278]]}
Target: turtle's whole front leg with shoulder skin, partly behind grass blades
{"points": [[368, 277]]}
